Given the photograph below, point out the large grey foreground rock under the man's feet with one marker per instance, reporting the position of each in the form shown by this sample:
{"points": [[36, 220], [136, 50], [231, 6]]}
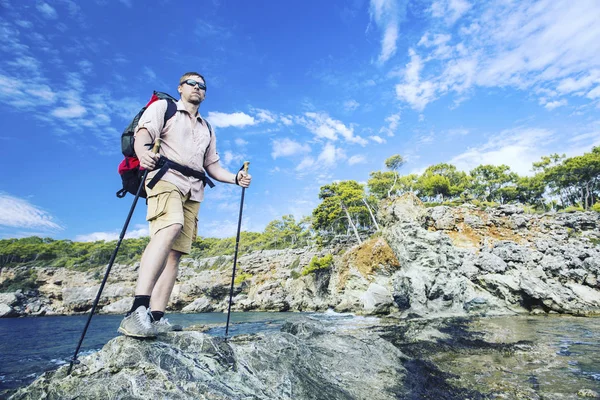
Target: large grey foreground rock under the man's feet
{"points": [[305, 361]]}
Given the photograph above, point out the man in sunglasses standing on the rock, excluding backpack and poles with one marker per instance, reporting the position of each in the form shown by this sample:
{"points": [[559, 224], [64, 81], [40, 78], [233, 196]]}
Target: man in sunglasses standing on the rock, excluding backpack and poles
{"points": [[173, 200]]}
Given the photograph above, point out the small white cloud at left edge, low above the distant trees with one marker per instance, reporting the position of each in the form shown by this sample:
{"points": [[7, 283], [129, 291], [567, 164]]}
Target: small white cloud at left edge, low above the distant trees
{"points": [[19, 213]]}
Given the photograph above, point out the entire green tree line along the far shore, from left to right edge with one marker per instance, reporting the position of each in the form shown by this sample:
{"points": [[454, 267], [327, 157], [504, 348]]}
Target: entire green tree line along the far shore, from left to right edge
{"points": [[349, 209]]}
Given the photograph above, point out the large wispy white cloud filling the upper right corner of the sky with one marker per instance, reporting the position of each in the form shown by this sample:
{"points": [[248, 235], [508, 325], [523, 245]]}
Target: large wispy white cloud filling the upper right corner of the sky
{"points": [[546, 45]]}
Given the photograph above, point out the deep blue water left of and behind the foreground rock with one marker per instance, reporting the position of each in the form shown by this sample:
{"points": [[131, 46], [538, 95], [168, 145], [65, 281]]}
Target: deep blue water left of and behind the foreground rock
{"points": [[31, 346]]}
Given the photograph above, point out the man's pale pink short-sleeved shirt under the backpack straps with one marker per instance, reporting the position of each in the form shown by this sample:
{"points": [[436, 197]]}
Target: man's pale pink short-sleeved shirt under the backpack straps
{"points": [[181, 142]]}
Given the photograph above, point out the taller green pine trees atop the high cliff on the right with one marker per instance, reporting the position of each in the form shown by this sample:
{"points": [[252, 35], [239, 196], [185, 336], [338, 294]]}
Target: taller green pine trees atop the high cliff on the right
{"points": [[558, 183]]}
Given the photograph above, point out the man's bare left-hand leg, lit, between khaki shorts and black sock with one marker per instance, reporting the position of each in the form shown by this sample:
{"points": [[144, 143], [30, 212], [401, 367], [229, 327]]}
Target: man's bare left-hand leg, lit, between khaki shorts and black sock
{"points": [[155, 258]]}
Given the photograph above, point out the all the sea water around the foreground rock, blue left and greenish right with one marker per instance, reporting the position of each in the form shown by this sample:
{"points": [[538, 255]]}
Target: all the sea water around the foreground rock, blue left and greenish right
{"points": [[529, 357]]}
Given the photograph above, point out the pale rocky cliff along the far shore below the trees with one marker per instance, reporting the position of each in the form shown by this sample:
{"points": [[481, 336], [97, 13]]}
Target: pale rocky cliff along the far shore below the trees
{"points": [[426, 261]]}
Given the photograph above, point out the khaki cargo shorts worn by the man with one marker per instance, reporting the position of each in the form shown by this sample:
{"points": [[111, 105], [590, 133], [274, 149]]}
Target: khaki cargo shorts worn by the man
{"points": [[168, 206]]}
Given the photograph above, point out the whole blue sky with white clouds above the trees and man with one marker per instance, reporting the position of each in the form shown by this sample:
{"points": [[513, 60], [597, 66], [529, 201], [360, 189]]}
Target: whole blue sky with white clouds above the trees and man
{"points": [[308, 91]]}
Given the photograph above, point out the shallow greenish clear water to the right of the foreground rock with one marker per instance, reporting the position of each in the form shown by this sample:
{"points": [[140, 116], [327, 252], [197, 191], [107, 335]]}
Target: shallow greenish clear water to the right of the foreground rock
{"points": [[547, 357]]}
